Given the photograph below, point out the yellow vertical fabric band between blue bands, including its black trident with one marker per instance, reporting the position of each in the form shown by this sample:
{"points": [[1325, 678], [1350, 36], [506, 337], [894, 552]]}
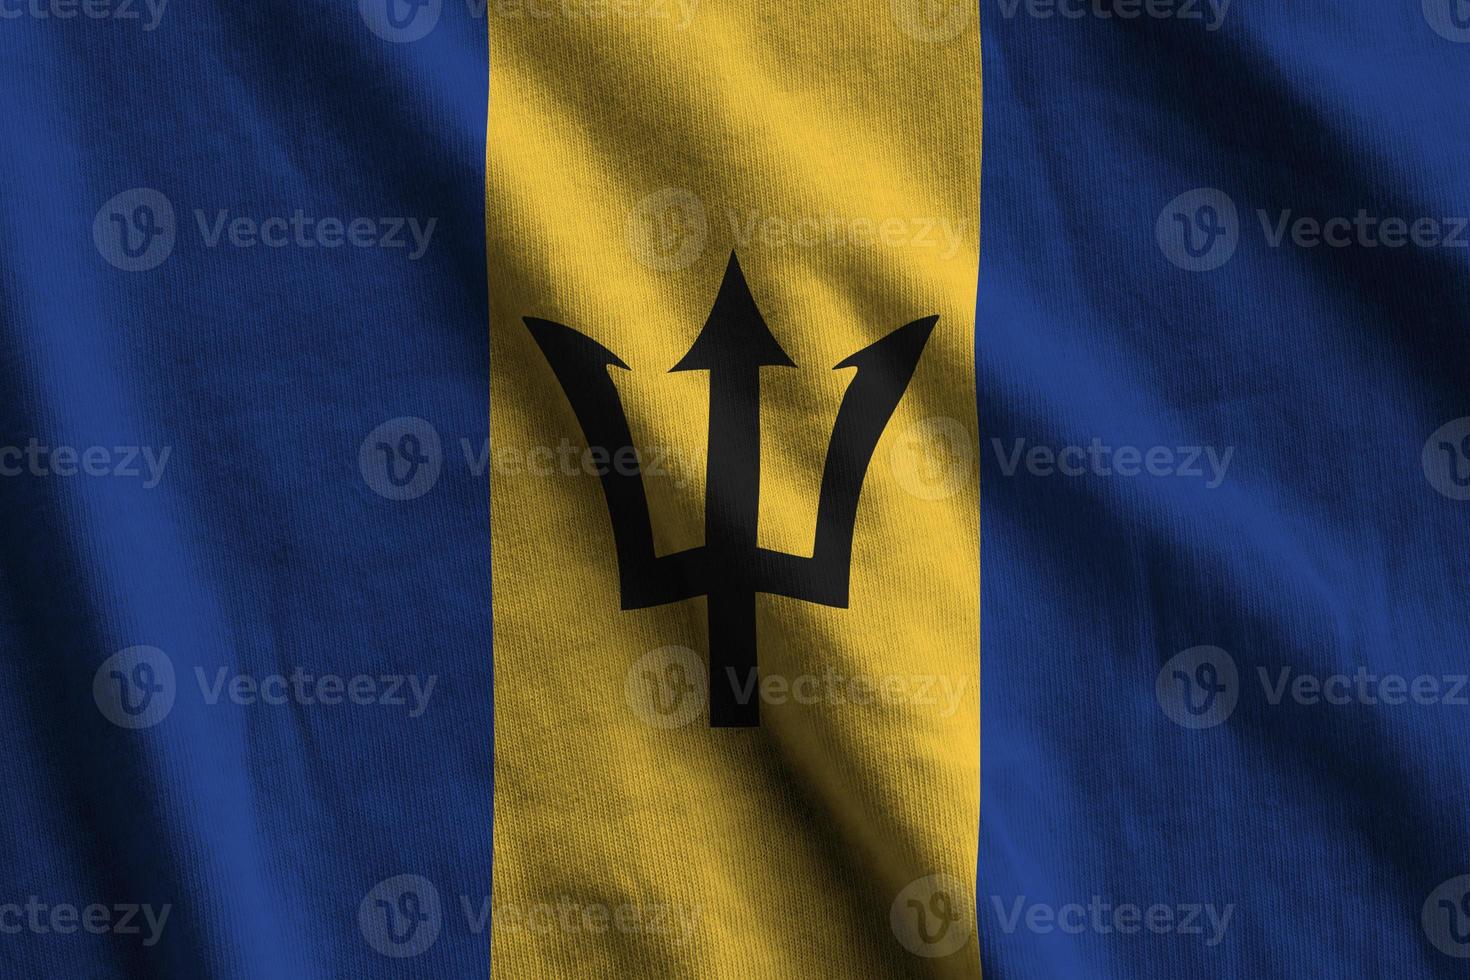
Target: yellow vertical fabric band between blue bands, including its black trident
{"points": [[796, 189]]}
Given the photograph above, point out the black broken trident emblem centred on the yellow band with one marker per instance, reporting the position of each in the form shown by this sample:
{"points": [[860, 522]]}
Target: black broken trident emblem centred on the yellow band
{"points": [[730, 568]]}
